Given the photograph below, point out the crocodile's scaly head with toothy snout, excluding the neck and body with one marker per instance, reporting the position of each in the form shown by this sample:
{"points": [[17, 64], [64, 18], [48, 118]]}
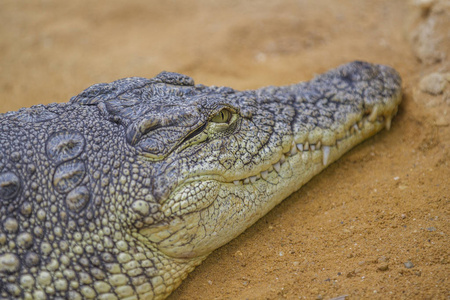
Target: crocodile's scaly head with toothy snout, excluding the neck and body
{"points": [[220, 159]]}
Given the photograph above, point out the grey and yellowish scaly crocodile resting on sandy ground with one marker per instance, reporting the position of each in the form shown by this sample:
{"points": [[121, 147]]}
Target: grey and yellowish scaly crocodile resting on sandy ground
{"points": [[122, 191]]}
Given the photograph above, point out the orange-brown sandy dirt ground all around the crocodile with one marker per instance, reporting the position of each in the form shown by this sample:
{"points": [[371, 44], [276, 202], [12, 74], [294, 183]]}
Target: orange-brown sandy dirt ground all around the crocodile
{"points": [[375, 224]]}
